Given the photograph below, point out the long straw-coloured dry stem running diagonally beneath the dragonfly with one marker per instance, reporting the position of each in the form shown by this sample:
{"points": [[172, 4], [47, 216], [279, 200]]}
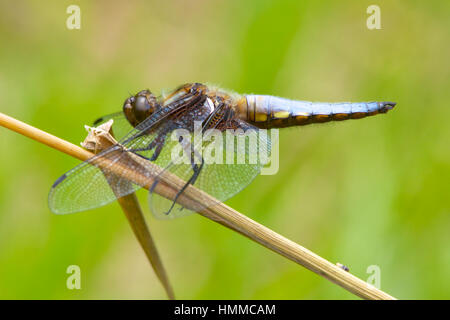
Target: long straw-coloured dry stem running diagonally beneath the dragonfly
{"points": [[220, 213]]}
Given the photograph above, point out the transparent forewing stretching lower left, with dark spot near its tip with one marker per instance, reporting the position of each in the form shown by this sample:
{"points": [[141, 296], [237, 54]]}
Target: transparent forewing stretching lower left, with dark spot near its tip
{"points": [[87, 186]]}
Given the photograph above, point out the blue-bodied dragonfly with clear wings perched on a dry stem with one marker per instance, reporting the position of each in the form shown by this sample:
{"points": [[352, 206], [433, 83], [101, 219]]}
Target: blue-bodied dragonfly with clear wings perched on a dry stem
{"points": [[148, 128]]}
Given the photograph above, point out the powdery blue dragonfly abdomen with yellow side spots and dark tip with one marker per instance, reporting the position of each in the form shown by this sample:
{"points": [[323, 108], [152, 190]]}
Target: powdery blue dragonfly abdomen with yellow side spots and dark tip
{"points": [[274, 112]]}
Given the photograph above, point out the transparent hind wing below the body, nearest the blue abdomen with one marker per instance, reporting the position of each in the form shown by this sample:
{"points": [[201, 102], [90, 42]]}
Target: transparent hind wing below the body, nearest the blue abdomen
{"points": [[231, 160]]}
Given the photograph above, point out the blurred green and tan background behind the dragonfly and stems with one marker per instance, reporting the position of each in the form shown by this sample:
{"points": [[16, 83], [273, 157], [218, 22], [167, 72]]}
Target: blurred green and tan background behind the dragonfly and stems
{"points": [[366, 192]]}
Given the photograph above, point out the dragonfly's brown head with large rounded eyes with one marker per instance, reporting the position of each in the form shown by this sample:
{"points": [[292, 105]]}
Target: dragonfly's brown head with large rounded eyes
{"points": [[139, 107]]}
